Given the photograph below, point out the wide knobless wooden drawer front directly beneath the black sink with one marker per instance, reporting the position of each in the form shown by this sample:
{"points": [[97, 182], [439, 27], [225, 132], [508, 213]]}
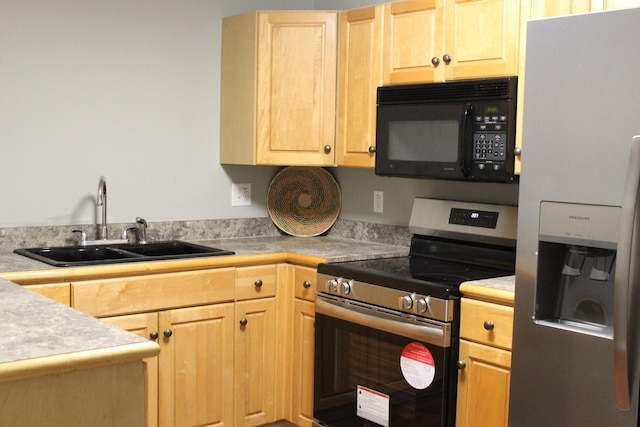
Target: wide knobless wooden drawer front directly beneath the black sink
{"points": [[136, 294]]}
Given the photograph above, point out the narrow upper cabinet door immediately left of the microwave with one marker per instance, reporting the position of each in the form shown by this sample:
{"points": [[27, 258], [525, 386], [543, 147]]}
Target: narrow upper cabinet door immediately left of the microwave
{"points": [[360, 74]]}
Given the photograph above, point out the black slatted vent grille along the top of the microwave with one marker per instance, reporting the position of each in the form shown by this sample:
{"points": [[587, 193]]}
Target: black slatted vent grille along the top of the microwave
{"points": [[471, 90]]}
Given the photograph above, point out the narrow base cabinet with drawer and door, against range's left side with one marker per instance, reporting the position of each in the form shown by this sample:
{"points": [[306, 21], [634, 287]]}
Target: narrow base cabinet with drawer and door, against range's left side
{"points": [[303, 345]]}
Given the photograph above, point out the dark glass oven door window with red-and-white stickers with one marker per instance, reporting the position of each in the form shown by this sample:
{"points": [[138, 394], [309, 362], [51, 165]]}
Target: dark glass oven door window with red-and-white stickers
{"points": [[358, 368]]}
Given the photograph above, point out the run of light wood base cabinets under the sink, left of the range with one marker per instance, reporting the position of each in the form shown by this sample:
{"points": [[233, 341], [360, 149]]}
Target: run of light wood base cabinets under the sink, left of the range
{"points": [[221, 343]]}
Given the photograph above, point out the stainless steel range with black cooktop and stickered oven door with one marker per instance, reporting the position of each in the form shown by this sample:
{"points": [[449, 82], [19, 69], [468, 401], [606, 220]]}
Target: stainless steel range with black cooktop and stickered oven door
{"points": [[387, 330]]}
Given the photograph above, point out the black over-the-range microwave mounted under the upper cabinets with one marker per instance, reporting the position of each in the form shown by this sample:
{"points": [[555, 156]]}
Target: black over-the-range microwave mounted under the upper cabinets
{"points": [[462, 130]]}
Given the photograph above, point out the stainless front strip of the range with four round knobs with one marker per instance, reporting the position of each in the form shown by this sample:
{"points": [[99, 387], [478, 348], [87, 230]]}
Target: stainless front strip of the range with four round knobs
{"points": [[393, 299]]}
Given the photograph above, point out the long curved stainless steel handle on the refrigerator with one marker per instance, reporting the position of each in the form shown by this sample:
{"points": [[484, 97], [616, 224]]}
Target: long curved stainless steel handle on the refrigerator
{"points": [[623, 278]]}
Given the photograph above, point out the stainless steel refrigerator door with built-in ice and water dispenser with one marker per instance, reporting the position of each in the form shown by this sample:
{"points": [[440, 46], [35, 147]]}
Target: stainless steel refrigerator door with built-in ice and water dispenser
{"points": [[581, 110]]}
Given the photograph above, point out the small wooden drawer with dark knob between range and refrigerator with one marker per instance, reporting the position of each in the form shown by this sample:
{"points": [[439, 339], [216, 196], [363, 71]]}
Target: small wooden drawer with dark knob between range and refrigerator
{"points": [[487, 323]]}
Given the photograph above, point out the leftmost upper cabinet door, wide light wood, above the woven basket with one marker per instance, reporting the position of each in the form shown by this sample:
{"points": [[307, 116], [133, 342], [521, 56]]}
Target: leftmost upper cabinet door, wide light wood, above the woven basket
{"points": [[296, 88]]}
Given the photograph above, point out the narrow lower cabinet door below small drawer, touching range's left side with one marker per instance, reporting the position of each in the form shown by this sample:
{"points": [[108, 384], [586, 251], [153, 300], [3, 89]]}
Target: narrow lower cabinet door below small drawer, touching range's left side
{"points": [[303, 340]]}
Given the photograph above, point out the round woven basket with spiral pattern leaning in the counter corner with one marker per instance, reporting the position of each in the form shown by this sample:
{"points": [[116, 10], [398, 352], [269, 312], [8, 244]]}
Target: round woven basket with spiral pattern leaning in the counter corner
{"points": [[304, 201]]}
